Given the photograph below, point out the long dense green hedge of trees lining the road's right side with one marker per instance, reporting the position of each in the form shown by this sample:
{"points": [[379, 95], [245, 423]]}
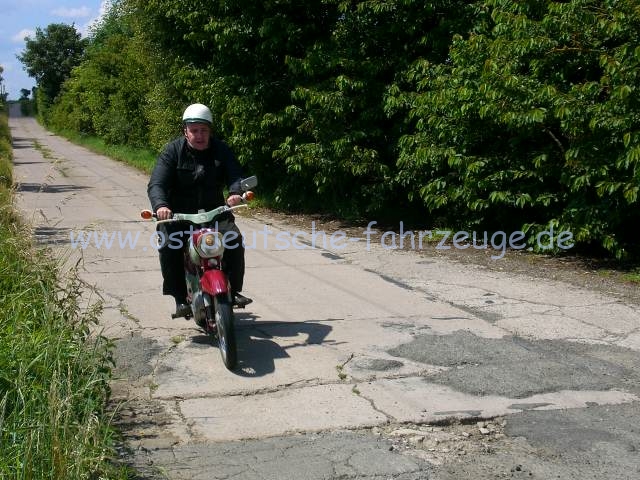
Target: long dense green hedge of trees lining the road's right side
{"points": [[486, 114]]}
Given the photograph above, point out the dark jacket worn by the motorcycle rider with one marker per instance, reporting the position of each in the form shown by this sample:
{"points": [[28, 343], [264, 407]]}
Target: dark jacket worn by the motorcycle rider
{"points": [[186, 180]]}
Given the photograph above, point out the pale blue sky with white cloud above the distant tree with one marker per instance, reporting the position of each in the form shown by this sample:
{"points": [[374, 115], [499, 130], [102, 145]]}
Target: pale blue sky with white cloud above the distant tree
{"points": [[20, 18]]}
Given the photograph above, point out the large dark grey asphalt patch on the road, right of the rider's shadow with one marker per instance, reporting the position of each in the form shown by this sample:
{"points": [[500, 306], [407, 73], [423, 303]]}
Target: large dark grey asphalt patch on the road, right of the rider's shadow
{"points": [[517, 368]]}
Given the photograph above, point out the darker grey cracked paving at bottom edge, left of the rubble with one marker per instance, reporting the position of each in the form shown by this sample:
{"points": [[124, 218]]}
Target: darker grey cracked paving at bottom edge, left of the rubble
{"points": [[341, 454]]}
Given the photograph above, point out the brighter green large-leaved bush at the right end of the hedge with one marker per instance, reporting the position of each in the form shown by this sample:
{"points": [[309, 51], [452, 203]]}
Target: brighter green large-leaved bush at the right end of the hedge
{"points": [[534, 120]]}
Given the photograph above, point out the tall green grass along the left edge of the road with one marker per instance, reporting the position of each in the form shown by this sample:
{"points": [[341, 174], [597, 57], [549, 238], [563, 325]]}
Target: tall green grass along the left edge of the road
{"points": [[53, 373]]}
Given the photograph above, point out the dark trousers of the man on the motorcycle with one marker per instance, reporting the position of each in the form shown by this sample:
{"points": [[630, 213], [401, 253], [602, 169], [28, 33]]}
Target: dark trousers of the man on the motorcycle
{"points": [[172, 257]]}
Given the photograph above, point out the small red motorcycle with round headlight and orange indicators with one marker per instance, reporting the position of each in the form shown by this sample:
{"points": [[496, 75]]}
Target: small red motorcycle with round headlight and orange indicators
{"points": [[208, 289]]}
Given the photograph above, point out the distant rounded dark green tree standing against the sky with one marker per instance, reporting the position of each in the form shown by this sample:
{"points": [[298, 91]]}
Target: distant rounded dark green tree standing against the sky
{"points": [[50, 57]]}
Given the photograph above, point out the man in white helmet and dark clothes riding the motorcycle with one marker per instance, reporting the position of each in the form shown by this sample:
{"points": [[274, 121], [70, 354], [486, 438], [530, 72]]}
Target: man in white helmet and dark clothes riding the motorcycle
{"points": [[190, 174]]}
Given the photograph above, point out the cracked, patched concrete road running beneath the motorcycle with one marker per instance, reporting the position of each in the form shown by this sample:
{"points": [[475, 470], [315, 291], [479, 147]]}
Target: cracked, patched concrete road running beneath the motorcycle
{"points": [[356, 361]]}
